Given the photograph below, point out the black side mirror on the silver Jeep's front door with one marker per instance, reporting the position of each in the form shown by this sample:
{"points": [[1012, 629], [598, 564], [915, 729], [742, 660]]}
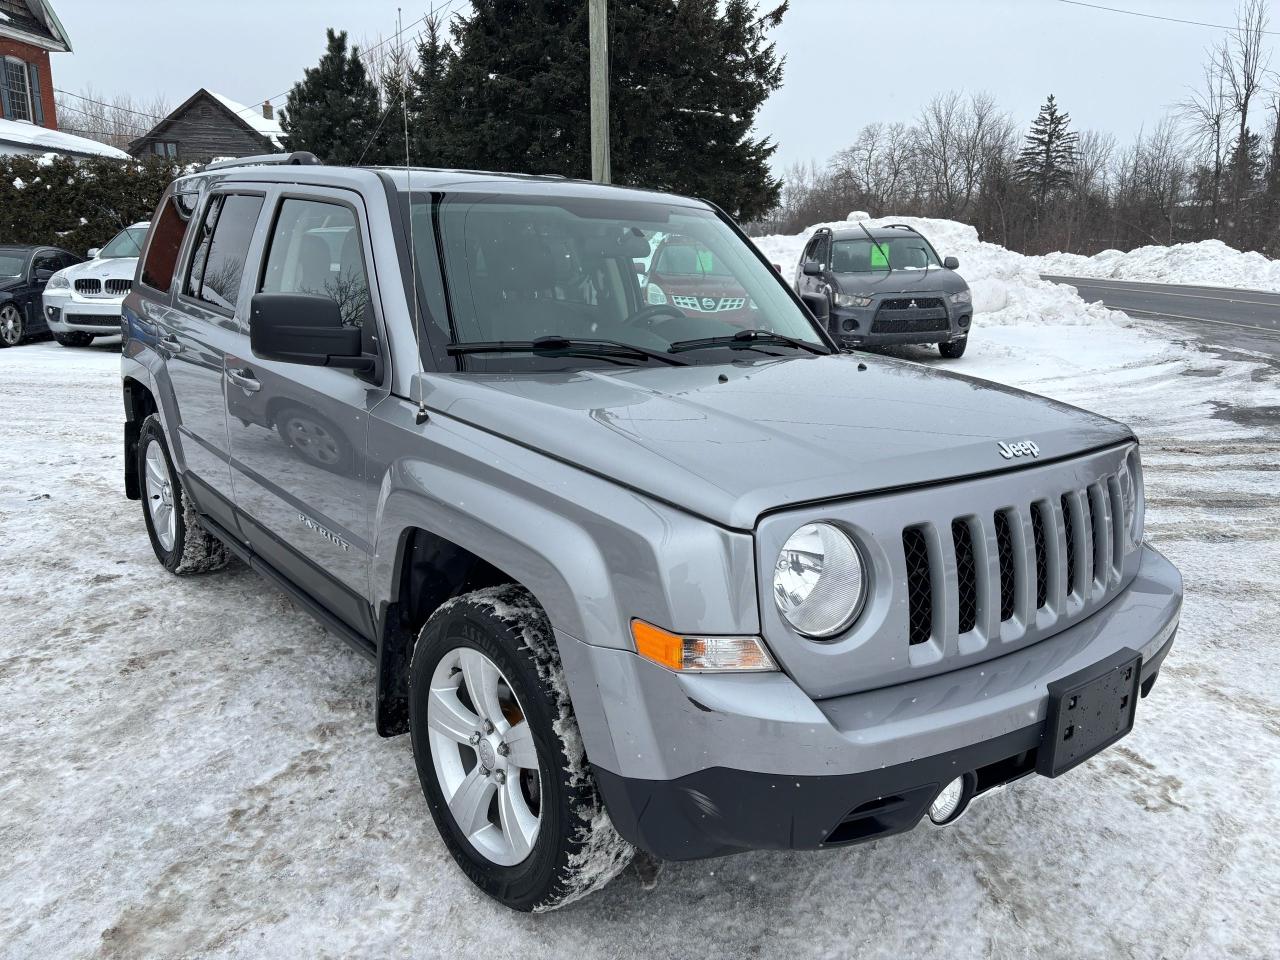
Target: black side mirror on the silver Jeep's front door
{"points": [[305, 328]]}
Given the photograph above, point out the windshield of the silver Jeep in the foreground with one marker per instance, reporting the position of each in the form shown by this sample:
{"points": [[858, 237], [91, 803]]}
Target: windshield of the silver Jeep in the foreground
{"points": [[638, 273]]}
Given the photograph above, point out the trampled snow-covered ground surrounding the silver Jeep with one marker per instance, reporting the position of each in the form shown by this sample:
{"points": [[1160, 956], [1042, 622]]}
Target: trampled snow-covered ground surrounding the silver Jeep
{"points": [[191, 767]]}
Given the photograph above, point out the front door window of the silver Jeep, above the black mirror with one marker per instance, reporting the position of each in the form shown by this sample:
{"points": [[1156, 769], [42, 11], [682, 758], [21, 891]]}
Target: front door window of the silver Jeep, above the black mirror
{"points": [[316, 249]]}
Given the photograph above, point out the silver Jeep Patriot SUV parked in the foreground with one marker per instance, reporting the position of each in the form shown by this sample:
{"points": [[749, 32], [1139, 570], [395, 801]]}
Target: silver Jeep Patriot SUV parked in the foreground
{"points": [[633, 577]]}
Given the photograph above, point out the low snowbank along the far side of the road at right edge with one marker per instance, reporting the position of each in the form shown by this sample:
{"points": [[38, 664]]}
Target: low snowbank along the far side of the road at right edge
{"points": [[1208, 263]]}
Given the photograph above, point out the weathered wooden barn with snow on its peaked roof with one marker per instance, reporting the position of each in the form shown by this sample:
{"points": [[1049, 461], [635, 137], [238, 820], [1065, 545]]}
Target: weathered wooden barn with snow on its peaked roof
{"points": [[209, 126]]}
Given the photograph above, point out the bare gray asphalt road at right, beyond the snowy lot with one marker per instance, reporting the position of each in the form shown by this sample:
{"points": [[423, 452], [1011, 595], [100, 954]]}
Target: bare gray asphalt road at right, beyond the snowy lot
{"points": [[1246, 321]]}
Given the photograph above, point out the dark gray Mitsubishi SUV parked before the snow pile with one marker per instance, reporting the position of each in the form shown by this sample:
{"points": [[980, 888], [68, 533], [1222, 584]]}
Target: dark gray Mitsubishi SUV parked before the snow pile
{"points": [[886, 286]]}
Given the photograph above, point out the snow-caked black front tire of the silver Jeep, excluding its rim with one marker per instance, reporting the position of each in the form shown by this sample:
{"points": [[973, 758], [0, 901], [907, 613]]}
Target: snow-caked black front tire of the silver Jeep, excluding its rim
{"points": [[577, 851]]}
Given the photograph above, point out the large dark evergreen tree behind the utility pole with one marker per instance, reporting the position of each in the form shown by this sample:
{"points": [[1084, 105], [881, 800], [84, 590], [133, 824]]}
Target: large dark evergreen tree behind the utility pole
{"points": [[687, 83]]}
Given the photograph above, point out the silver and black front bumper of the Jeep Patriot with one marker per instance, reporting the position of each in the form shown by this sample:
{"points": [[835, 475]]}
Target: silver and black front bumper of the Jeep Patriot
{"points": [[705, 766]]}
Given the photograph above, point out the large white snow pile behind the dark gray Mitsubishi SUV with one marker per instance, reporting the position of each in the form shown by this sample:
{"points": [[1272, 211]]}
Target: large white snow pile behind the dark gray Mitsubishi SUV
{"points": [[1007, 286]]}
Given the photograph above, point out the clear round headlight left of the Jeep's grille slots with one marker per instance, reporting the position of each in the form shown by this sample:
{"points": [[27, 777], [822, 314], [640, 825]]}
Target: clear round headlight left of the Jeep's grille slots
{"points": [[819, 583]]}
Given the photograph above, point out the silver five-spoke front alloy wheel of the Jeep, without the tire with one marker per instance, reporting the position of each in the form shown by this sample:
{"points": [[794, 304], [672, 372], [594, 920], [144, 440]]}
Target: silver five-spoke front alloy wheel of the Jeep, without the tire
{"points": [[484, 757]]}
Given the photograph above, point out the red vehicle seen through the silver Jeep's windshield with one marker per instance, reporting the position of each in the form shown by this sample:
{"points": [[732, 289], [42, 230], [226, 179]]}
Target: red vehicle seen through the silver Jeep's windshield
{"points": [[687, 275]]}
